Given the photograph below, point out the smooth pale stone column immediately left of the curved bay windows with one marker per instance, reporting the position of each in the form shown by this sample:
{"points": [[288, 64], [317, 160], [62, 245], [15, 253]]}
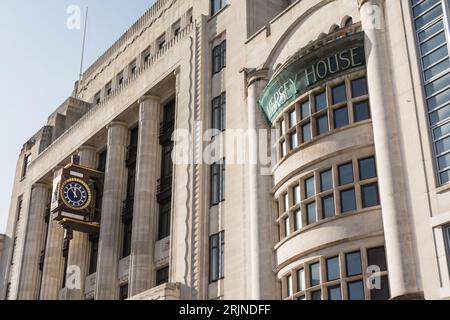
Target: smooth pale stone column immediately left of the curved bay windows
{"points": [[259, 197]]}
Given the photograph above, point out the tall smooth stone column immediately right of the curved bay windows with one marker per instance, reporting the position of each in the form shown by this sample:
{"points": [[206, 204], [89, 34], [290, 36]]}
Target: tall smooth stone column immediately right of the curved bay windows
{"points": [[396, 220]]}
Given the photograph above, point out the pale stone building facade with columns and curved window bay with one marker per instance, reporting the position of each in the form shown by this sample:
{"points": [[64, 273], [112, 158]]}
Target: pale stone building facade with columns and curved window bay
{"points": [[355, 203]]}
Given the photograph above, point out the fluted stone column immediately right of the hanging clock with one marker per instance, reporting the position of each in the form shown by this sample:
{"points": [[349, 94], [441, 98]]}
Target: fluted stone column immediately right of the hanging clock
{"points": [[113, 195]]}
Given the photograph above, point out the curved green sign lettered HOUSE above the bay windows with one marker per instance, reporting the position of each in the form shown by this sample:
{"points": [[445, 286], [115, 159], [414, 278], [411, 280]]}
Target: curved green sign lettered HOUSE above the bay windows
{"points": [[305, 73]]}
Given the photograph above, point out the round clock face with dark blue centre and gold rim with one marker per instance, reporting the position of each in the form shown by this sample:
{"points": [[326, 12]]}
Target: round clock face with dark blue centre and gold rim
{"points": [[76, 194]]}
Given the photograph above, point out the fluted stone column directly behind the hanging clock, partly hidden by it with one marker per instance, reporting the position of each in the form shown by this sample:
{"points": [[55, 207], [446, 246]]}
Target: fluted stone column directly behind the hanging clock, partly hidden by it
{"points": [[79, 247]]}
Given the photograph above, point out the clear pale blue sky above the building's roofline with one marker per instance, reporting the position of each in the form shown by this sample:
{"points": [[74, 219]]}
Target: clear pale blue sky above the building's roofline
{"points": [[39, 63]]}
